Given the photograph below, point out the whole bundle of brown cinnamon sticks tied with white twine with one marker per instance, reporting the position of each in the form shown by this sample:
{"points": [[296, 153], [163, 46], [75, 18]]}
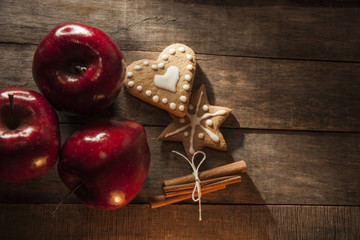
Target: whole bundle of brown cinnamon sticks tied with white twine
{"points": [[181, 188]]}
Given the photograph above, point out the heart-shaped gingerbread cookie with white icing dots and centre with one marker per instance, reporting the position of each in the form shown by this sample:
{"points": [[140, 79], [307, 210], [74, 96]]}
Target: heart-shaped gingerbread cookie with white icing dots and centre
{"points": [[165, 83]]}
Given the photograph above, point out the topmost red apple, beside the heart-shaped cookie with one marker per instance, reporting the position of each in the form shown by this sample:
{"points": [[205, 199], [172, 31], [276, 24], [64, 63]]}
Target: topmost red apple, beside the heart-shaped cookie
{"points": [[78, 68]]}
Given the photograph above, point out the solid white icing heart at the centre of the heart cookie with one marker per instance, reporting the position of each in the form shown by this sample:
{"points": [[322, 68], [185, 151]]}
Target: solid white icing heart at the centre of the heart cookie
{"points": [[169, 80]]}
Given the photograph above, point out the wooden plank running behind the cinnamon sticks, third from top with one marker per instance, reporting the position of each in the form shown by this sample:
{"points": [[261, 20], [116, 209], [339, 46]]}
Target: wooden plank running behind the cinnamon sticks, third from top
{"points": [[284, 167]]}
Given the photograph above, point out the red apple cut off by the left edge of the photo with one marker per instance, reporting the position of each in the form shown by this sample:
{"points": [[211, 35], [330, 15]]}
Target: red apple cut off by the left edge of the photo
{"points": [[29, 135]]}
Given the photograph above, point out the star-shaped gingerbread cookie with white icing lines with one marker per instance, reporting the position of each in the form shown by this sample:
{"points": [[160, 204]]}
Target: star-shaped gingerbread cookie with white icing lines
{"points": [[199, 128]]}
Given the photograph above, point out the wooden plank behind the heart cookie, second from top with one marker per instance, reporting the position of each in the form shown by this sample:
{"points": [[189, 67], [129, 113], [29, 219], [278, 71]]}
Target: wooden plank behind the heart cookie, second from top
{"points": [[263, 93]]}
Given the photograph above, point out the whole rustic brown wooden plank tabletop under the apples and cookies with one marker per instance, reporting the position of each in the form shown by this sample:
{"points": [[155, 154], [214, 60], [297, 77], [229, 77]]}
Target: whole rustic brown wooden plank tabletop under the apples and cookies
{"points": [[291, 74]]}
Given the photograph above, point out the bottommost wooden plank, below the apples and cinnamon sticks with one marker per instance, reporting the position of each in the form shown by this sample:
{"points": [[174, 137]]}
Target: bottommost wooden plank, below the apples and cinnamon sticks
{"points": [[180, 222]]}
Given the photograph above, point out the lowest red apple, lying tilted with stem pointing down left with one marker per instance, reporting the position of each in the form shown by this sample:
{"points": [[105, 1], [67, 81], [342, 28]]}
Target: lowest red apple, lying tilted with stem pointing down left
{"points": [[108, 159]]}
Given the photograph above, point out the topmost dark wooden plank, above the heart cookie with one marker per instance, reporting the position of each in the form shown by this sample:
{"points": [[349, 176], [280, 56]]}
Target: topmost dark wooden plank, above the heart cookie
{"points": [[263, 31]]}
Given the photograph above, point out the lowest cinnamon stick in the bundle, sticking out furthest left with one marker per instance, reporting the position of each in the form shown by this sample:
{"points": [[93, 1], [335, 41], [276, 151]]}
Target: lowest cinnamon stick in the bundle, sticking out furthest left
{"points": [[161, 200]]}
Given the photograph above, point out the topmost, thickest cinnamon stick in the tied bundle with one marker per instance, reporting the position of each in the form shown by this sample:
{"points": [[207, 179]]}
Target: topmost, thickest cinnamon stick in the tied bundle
{"points": [[225, 170]]}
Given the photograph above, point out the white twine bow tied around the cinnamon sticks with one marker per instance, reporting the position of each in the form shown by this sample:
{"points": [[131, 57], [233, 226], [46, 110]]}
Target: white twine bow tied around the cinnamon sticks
{"points": [[197, 187]]}
